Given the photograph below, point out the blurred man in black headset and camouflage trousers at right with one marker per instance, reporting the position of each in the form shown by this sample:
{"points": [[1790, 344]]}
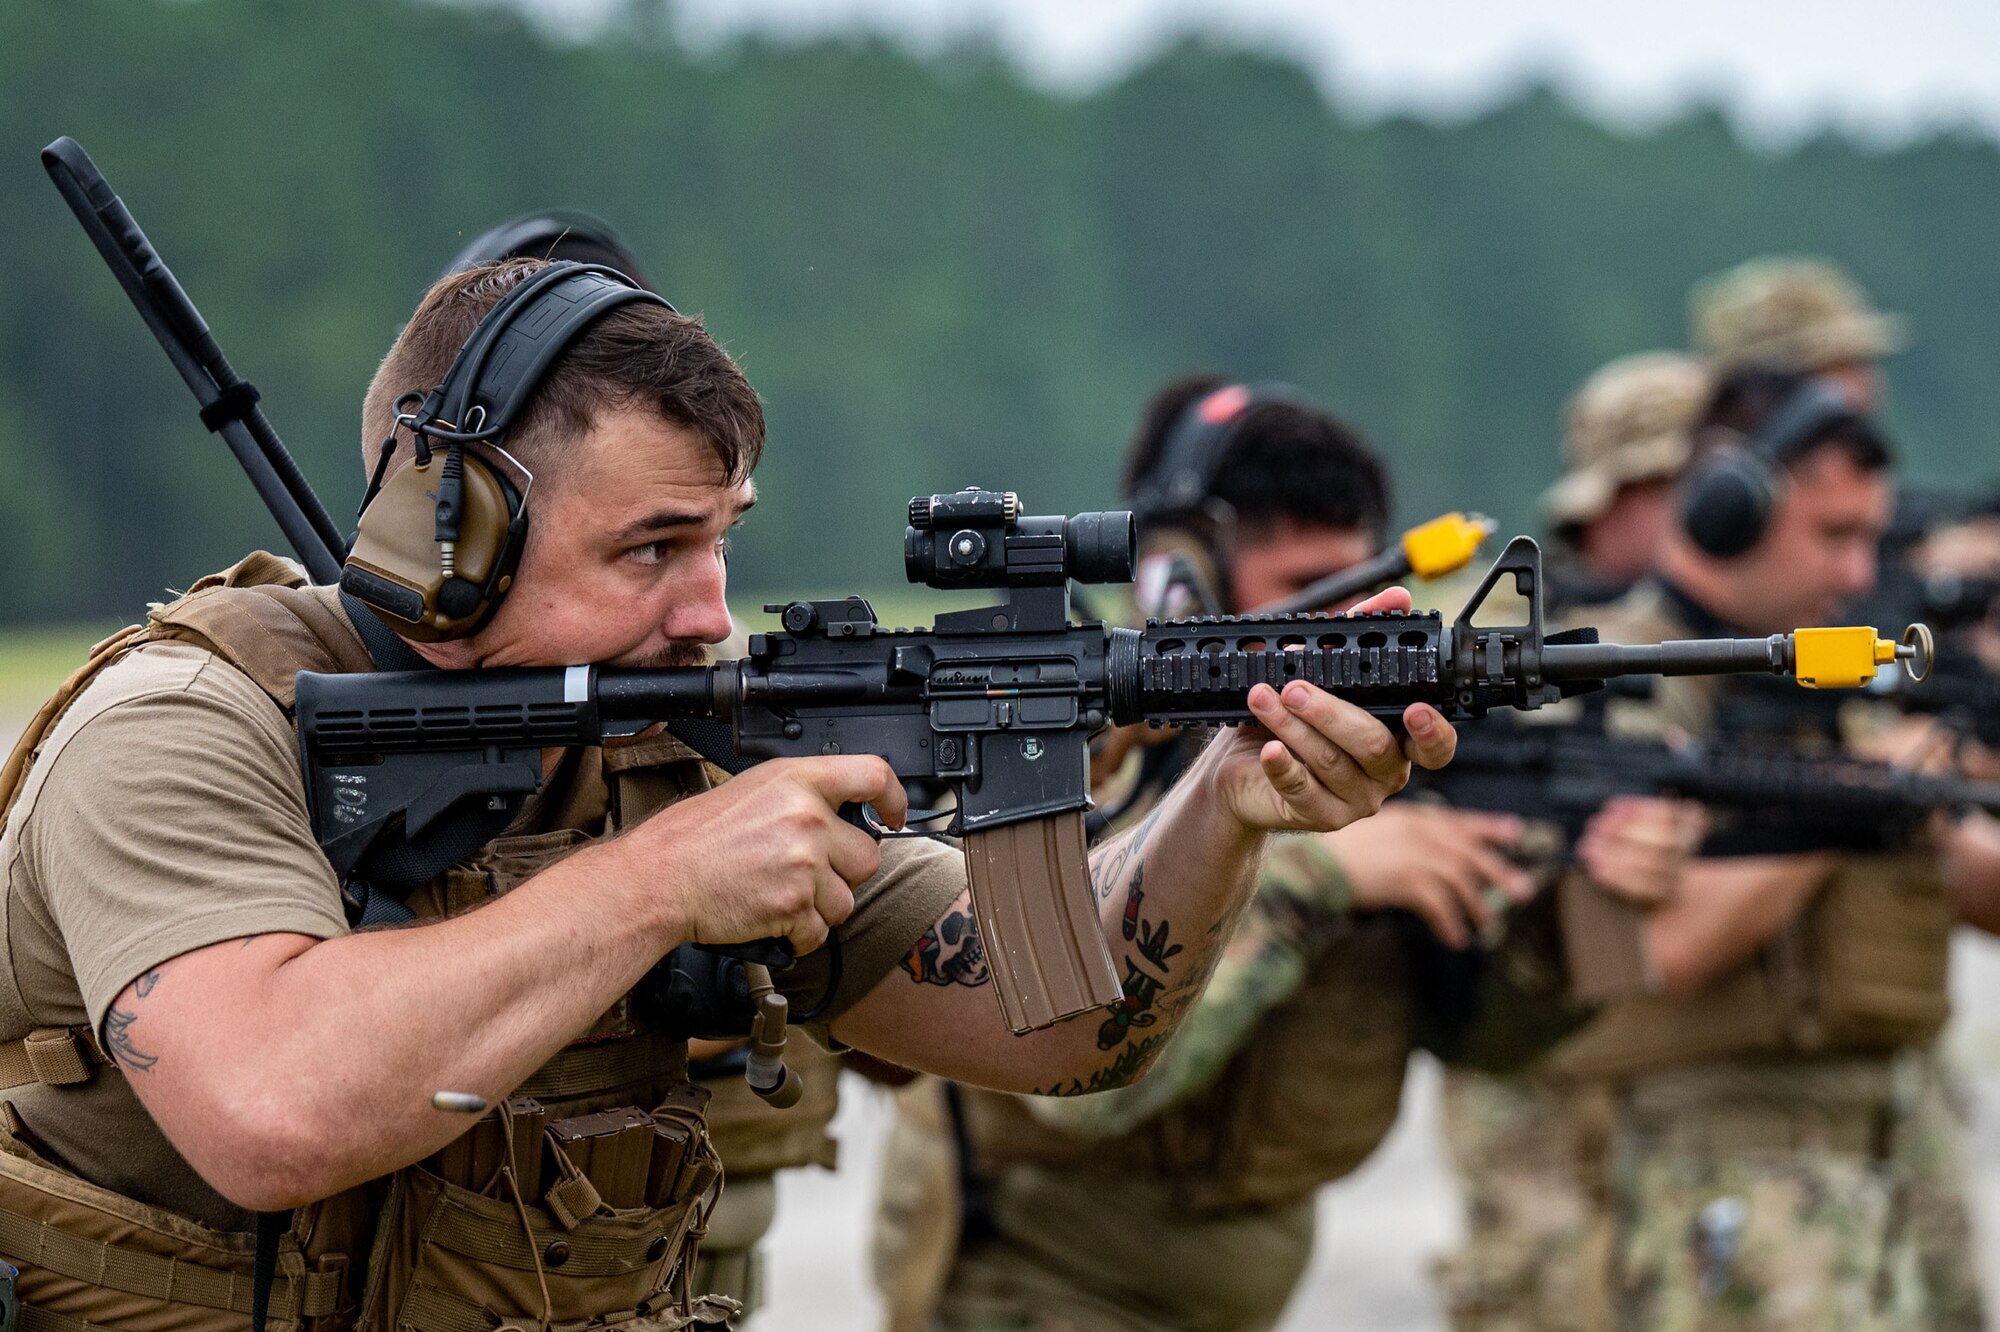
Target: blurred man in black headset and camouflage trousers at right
{"points": [[1781, 1145]]}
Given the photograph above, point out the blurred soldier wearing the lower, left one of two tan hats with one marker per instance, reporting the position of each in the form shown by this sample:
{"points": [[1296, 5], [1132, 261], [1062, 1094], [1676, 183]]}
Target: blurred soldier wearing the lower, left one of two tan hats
{"points": [[1527, 1157]]}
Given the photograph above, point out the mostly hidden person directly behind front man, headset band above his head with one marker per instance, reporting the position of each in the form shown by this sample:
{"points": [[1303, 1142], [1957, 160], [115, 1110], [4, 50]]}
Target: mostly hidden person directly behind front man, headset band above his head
{"points": [[753, 1139]]}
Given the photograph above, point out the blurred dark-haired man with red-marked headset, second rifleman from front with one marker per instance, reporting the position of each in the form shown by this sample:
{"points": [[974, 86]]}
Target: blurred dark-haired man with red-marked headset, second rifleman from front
{"points": [[1191, 1205]]}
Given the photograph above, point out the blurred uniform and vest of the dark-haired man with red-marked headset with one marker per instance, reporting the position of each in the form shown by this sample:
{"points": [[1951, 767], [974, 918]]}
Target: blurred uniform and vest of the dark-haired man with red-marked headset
{"points": [[1107, 1213]]}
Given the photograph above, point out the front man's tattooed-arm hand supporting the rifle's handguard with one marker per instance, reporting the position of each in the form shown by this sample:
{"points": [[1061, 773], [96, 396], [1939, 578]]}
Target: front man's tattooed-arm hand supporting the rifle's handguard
{"points": [[1319, 763]]}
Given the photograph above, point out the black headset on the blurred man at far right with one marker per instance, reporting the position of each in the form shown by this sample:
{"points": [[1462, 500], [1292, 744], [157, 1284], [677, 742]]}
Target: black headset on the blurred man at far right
{"points": [[1729, 497]]}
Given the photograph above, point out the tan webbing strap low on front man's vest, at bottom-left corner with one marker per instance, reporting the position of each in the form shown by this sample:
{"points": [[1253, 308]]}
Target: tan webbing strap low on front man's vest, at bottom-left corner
{"points": [[173, 1281]]}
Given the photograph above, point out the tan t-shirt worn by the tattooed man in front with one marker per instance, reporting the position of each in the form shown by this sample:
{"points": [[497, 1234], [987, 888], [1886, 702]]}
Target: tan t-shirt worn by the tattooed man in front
{"points": [[167, 813]]}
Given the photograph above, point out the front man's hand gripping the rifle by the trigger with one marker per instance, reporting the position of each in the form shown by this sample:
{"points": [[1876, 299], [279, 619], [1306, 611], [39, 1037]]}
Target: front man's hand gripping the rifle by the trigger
{"points": [[767, 855]]}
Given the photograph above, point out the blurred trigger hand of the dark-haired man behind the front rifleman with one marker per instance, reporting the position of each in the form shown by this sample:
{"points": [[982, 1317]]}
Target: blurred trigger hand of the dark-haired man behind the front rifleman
{"points": [[1437, 863]]}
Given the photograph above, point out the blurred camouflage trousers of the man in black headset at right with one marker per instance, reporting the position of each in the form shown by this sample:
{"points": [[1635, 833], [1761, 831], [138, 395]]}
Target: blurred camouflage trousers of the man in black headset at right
{"points": [[1795, 1199]]}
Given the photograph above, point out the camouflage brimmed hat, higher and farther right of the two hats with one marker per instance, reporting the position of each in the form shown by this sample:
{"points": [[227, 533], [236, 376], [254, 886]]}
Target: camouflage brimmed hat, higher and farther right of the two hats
{"points": [[1789, 313]]}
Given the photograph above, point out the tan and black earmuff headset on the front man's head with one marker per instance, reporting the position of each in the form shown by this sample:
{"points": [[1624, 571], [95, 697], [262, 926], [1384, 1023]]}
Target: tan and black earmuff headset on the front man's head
{"points": [[441, 539]]}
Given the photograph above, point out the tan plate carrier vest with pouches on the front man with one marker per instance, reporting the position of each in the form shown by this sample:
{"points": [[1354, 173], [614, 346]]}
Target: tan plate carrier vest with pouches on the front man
{"points": [[417, 1249]]}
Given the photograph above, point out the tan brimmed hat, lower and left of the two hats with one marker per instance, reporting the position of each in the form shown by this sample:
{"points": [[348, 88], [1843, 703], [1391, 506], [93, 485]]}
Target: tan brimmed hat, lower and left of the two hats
{"points": [[1629, 423]]}
